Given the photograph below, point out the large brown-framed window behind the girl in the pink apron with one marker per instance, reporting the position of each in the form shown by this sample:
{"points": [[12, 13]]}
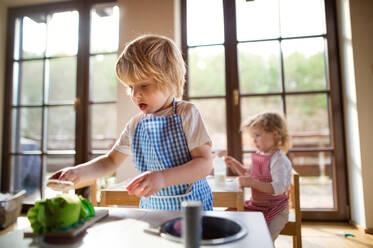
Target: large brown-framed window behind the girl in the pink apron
{"points": [[246, 57]]}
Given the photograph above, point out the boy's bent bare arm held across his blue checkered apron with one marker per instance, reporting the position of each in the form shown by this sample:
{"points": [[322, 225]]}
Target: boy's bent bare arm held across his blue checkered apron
{"points": [[151, 182]]}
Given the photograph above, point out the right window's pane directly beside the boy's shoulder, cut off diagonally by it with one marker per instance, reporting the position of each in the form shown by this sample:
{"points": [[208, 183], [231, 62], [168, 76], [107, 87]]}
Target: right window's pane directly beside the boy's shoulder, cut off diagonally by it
{"points": [[213, 113]]}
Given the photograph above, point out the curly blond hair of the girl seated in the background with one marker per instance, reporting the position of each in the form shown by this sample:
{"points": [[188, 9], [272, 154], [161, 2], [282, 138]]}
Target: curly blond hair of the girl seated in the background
{"points": [[271, 122]]}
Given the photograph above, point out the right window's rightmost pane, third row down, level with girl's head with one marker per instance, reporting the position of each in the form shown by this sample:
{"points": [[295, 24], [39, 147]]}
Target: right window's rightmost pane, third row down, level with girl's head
{"points": [[301, 112]]}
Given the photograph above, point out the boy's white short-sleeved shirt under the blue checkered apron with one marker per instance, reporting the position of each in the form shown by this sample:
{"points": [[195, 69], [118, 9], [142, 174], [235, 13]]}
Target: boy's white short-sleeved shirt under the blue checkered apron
{"points": [[193, 126]]}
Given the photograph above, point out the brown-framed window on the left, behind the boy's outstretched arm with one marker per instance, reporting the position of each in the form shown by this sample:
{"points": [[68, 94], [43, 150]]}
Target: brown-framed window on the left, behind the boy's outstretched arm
{"points": [[62, 81]]}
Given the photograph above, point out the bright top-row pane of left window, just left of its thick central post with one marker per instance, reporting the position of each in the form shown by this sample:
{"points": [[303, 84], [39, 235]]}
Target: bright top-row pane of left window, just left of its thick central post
{"points": [[63, 33]]}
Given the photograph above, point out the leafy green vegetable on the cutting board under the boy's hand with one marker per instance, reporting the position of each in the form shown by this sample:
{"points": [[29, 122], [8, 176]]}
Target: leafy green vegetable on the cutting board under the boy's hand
{"points": [[49, 215]]}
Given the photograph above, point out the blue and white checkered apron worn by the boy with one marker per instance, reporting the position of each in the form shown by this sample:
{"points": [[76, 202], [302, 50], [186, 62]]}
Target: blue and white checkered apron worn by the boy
{"points": [[159, 143]]}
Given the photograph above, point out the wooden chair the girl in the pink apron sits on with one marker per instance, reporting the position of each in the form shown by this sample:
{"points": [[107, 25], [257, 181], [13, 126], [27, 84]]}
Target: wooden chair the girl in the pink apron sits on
{"points": [[293, 227]]}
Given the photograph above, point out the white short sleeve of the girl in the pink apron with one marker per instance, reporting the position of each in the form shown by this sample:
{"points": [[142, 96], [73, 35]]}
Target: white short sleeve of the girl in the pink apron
{"points": [[280, 171]]}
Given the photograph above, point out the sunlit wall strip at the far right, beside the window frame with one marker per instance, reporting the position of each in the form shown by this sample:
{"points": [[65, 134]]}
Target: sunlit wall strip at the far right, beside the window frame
{"points": [[355, 40]]}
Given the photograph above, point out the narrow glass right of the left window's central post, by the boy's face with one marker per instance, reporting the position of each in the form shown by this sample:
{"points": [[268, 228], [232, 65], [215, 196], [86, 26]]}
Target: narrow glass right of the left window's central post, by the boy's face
{"points": [[103, 56]]}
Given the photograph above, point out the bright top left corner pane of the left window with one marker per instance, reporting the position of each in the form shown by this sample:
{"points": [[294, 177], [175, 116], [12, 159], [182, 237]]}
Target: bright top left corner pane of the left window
{"points": [[33, 46]]}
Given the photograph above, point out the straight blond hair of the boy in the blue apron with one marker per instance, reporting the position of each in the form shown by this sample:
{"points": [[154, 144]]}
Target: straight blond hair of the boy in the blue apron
{"points": [[152, 57]]}
